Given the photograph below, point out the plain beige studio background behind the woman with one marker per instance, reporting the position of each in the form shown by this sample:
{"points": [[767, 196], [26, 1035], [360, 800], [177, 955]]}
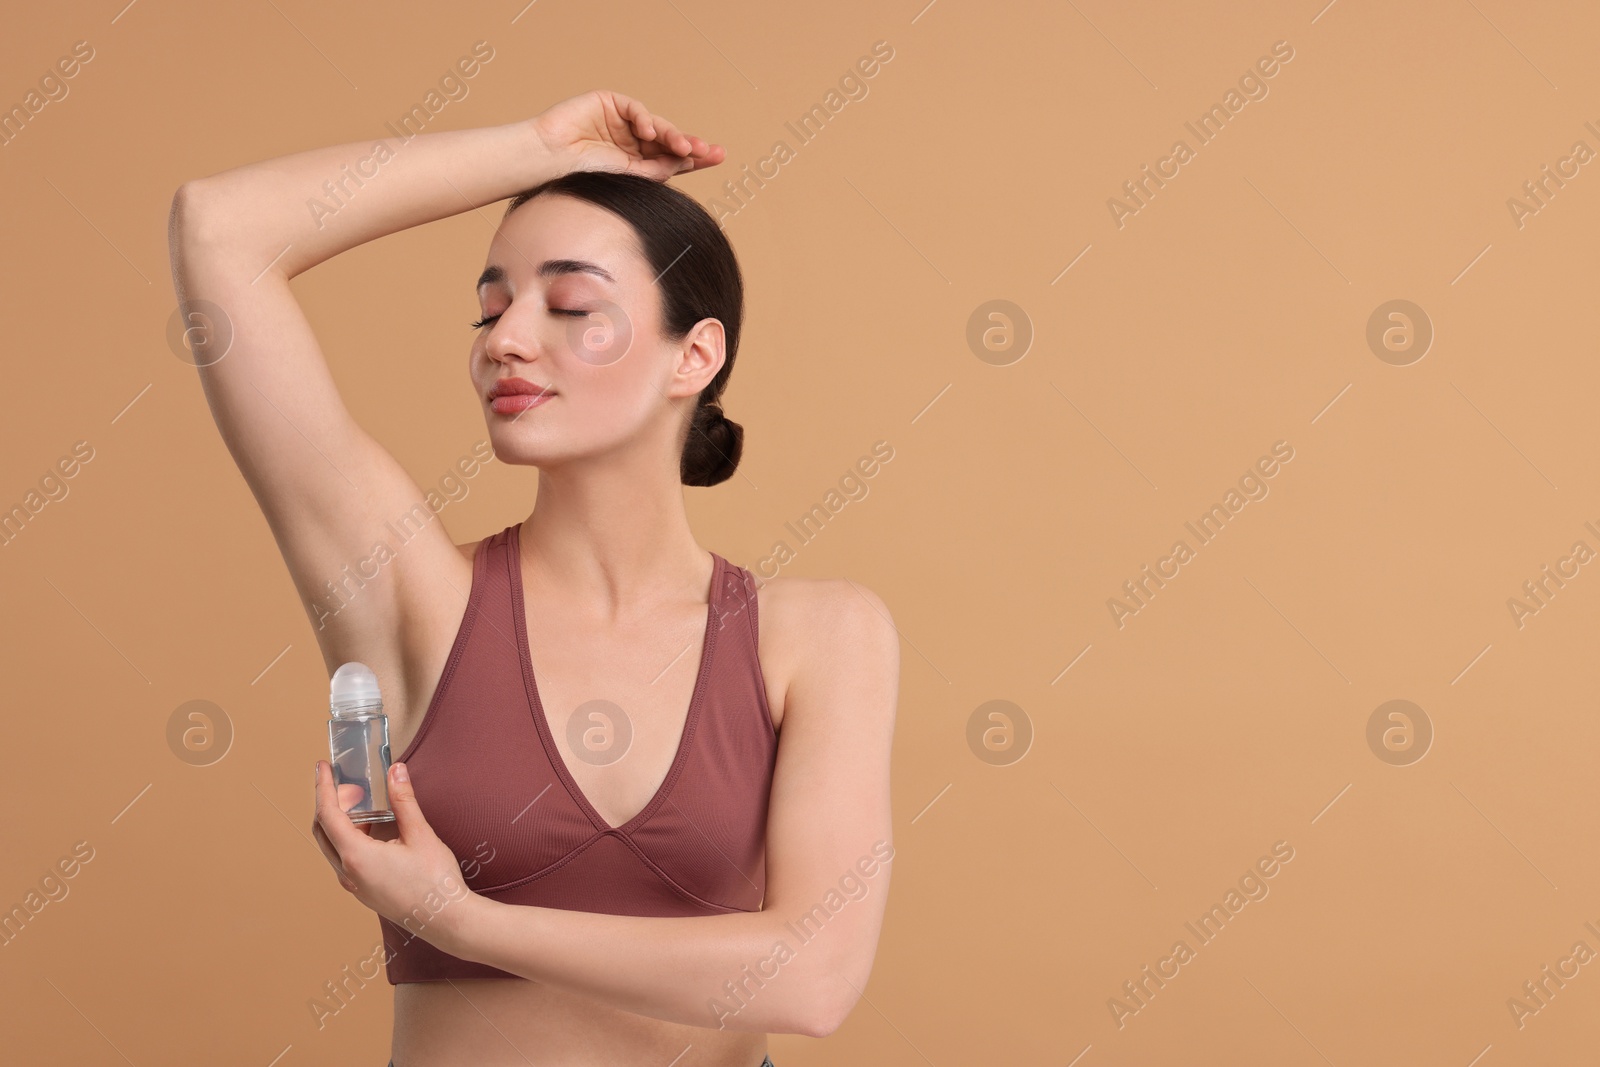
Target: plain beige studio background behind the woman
{"points": [[1228, 314]]}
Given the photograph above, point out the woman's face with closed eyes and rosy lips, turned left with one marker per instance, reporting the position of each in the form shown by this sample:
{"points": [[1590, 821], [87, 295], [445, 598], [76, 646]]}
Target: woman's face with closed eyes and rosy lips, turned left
{"points": [[572, 308]]}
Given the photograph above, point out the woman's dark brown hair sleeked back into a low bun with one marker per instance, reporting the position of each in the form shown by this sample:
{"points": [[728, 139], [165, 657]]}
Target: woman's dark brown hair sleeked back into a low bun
{"points": [[698, 278]]}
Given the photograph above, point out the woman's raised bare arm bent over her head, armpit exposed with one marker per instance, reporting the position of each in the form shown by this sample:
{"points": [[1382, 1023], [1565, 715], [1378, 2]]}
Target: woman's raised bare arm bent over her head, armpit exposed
{"points": [[326, 487]]}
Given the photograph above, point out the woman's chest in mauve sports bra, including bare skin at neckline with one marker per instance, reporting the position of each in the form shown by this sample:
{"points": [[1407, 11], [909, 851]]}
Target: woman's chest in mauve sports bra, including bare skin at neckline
{"points": [[602, 767]]}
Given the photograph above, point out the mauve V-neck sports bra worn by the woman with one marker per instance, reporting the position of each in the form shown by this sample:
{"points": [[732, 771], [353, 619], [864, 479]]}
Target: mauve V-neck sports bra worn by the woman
{"points": [[492, 781]]}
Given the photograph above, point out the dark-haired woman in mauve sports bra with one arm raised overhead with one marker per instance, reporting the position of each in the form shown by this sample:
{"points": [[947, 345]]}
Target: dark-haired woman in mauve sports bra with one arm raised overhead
{"points": [[614, 861]]}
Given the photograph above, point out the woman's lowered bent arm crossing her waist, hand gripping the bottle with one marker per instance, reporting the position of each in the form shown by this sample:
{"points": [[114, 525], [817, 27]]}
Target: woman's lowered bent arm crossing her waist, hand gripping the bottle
{"points": [[796, 967]]}
